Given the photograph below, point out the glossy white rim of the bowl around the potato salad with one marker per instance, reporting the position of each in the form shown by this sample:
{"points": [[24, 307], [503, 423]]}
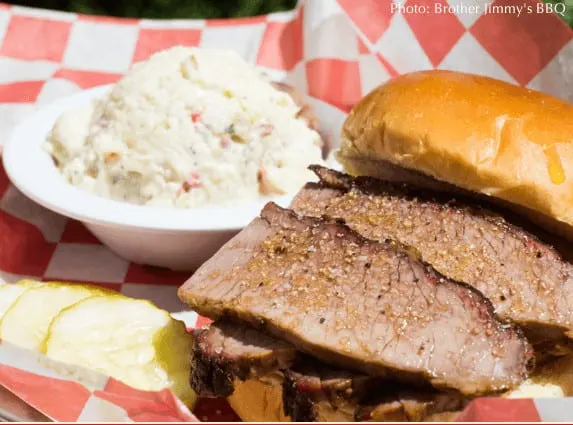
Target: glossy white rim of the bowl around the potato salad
{"points": [[41, 182]]}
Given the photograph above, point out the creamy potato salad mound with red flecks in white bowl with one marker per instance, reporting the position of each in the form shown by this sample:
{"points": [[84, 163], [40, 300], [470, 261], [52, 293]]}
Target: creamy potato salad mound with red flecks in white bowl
{"points": [[188, 127]]}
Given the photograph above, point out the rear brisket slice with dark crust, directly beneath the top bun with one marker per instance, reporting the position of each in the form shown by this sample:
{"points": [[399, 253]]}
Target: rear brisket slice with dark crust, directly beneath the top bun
{"points": [[527, 280]]}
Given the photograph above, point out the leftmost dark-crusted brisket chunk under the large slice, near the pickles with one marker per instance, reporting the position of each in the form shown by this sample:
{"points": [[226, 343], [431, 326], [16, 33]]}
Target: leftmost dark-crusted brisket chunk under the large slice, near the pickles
{"points": [[224, 351]]}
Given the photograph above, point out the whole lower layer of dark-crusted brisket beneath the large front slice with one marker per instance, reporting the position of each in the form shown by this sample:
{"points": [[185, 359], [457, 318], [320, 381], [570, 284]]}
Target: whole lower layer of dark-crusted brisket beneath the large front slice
{"points": [[225, 352]]}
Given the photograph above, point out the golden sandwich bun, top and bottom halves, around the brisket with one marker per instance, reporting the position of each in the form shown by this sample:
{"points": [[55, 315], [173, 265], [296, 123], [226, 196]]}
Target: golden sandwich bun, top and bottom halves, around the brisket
{"points": [[455, 132]]}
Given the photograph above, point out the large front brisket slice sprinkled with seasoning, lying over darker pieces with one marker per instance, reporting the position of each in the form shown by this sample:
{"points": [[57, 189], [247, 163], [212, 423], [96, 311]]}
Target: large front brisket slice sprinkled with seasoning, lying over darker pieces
{"points": [[358, 304]]}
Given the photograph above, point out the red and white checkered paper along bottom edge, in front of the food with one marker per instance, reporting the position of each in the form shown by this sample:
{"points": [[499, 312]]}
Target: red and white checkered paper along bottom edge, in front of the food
{"points": [[76, 394]]}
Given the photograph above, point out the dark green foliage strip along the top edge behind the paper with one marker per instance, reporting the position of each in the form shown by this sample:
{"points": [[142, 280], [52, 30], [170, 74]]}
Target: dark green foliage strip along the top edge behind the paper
{"points": [[189, 9]]}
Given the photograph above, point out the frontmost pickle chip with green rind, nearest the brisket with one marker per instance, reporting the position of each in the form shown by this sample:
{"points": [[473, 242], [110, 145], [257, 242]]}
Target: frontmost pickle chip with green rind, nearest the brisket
{"points": [[131, 340]]}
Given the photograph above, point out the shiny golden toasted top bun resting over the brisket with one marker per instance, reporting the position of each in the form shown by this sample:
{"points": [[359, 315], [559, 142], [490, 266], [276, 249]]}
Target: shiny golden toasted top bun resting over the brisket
{"points": [[474, 132]]}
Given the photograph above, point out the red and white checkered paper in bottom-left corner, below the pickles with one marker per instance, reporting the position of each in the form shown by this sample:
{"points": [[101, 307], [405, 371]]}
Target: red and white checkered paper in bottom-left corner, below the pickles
{"points": [[67, 393]]}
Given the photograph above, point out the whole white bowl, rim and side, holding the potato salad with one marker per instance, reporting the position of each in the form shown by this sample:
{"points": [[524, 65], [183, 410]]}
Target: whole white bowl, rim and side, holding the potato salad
{"points": [[179, 239]]}
